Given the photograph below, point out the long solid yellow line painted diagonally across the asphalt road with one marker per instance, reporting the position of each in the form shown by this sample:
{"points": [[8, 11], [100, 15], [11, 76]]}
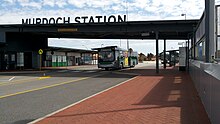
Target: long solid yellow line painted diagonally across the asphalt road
{"points": [[45, 87]]}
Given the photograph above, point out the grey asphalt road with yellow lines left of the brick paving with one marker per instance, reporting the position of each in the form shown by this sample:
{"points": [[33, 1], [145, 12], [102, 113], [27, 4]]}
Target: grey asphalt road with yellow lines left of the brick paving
{"points": [[27, 96]]}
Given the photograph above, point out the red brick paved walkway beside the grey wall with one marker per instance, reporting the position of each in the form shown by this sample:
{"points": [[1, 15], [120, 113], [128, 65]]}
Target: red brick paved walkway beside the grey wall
{"points": [[165, 98]]}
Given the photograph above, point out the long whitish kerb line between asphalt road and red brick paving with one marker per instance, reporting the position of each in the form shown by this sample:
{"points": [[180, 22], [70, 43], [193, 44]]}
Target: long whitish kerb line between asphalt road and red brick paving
{"points": [[35, 121]]}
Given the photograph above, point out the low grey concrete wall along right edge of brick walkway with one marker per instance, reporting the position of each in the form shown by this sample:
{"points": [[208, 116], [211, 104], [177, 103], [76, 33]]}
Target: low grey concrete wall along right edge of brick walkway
{"points": [[206, 77]]}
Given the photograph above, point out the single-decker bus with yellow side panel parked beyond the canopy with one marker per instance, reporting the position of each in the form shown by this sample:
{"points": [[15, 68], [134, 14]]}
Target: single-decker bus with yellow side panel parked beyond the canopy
{"points": [[113, 57]]}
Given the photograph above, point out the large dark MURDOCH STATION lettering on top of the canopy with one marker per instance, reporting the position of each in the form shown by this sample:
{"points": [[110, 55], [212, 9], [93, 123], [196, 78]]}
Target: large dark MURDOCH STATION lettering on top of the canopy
{"points": [[78, 19]]}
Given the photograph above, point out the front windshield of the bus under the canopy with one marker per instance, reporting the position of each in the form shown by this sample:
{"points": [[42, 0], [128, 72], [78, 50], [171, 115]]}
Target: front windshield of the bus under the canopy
{"points": [[106, 56]]}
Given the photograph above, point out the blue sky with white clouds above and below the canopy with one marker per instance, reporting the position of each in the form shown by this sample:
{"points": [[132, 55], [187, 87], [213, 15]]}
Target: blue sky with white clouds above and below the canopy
{"points": [[13, 11]]}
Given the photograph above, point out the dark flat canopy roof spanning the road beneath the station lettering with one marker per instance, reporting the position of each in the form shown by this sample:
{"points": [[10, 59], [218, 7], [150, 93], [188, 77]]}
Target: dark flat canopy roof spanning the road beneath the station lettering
{"points": [[168, 29]]}
